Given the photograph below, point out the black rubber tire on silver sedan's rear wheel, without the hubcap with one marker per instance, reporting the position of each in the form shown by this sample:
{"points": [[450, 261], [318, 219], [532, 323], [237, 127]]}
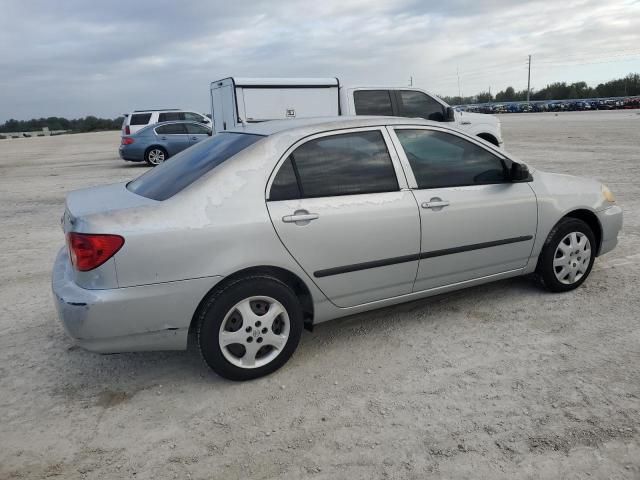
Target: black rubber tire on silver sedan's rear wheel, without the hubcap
{"points": [[221, 302]]}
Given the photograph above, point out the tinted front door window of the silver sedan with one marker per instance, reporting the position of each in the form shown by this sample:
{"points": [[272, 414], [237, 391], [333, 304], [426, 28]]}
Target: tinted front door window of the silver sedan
{"points": [[441, 159]]}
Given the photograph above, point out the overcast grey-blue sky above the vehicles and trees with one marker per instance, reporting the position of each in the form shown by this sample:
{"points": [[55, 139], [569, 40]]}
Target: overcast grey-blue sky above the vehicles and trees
{"points": [[76, 57]]}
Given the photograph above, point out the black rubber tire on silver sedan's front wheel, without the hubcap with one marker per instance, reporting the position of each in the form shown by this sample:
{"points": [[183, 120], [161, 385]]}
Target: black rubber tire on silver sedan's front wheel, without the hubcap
{"points": [[545, 268]]}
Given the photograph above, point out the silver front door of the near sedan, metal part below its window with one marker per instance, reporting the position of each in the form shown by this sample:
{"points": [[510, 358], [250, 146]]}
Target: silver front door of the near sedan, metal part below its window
{"points": [[484, 230]]}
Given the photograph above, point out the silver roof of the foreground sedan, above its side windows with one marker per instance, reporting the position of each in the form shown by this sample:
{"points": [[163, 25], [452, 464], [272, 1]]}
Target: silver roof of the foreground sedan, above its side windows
{"points": [[272, 127]]}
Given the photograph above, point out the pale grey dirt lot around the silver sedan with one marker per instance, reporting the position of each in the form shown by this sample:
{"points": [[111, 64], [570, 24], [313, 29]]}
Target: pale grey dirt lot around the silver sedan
{"points": [[500, 381]]}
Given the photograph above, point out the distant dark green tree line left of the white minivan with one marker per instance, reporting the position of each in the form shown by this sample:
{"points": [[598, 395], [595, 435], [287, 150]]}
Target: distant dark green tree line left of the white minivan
{"points": [[79, 125]]}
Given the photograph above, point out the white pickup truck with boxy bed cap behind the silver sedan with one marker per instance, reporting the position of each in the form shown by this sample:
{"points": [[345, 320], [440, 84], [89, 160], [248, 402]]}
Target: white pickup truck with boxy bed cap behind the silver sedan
{"points": [[236, 101]]}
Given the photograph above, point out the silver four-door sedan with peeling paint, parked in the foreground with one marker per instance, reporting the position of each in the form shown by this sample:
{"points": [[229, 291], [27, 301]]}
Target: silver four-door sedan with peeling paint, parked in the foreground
{"points": [[252, 235]]}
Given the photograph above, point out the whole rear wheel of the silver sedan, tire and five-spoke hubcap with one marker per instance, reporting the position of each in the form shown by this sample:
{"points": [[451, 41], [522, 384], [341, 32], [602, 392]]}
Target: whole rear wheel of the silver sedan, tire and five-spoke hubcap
{"points": [[250, 328]]}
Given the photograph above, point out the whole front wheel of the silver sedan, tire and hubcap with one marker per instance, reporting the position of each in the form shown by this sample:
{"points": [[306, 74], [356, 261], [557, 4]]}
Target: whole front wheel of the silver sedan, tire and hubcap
{"points": [[567, 256]]}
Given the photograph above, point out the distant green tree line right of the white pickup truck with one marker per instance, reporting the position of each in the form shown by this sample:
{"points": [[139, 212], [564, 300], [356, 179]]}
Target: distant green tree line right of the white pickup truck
{"points": [[621, 87]]}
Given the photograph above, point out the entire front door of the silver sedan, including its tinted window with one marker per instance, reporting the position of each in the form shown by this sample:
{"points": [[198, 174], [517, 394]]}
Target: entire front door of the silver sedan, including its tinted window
{"points": [[475, 222]]}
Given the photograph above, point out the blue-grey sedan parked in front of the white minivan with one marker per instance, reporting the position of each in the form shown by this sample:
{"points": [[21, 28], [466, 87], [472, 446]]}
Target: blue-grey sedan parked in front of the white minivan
{"points": [[156, 143]]}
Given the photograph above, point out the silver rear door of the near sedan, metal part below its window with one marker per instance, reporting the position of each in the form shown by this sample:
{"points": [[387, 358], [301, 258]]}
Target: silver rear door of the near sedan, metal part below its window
{"points": [[356, 248]]}
